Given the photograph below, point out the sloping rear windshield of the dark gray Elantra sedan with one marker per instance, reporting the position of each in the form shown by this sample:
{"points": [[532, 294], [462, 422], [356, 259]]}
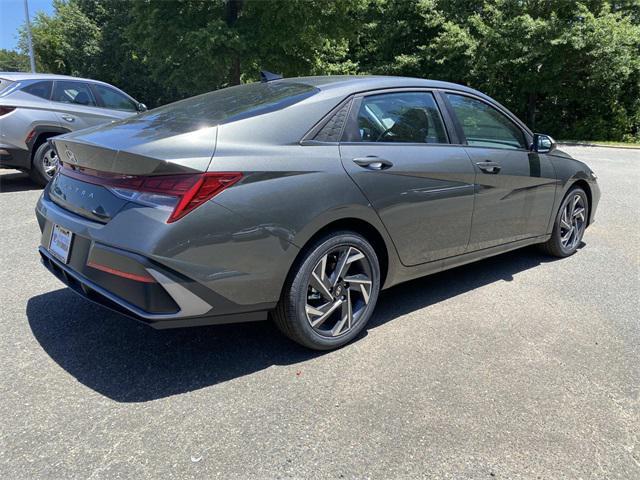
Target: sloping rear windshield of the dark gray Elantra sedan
{"points": [[228, 105]]}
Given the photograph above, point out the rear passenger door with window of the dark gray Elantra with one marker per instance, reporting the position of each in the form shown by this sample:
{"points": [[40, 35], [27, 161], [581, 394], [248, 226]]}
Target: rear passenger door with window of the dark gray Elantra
{"points": [[398, 151]]}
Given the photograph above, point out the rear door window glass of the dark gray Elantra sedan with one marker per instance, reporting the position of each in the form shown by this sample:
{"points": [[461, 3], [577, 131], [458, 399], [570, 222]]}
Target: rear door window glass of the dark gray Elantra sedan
{"points": [[411, 117]]}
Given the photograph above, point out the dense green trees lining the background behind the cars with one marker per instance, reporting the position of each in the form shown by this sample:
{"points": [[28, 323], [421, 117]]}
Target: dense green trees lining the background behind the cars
{"points": [[569, 68]]}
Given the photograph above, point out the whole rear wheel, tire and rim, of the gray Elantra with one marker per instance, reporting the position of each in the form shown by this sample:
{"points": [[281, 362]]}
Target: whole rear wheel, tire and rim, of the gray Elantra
{"points": [[331, 292]]}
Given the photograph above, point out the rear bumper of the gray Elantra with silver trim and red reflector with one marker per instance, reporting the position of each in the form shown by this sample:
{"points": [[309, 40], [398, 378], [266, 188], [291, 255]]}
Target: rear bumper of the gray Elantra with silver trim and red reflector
{"points": [[164, 298]]}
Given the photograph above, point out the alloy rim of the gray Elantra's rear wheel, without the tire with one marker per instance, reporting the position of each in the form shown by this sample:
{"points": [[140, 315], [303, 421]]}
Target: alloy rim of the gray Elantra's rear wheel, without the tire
{"points": [[338, 291]]}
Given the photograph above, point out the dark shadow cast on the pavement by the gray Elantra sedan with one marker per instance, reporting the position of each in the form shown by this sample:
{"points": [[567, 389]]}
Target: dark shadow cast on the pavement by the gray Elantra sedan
{"points": [[130, 362]]}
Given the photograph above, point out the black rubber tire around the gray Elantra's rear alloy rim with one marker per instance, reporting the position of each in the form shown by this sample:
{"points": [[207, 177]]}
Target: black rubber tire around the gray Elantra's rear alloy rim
{"points": [[291, 315]]}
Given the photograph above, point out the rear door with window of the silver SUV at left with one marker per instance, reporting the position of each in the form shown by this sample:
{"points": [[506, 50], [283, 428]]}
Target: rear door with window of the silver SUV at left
{"points": [[76, 105]]}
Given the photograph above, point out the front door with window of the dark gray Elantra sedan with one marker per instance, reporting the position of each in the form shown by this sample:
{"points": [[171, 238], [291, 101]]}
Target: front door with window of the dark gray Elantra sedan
{"points": [[515, 187]]}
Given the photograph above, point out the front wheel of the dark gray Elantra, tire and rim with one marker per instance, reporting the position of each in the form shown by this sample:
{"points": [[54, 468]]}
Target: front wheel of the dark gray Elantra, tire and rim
{"points": [[570, 224]]}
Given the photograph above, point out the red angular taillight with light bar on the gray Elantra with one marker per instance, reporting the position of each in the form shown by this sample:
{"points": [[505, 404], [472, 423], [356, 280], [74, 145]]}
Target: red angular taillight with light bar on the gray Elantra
{"points": [[179, 194]]}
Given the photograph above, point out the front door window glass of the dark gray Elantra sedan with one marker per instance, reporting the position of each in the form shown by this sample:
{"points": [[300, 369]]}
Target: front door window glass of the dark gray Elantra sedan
{"points": [[485, 126]]}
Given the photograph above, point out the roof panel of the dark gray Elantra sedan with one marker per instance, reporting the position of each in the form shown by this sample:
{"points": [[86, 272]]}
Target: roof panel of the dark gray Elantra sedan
{"points": [[356, 83]]}
